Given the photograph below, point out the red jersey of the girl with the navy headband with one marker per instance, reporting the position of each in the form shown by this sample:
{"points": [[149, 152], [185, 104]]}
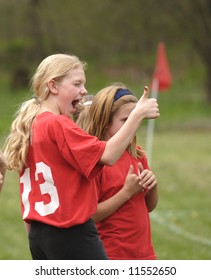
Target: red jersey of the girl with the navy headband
{"points": [[126, 234]]}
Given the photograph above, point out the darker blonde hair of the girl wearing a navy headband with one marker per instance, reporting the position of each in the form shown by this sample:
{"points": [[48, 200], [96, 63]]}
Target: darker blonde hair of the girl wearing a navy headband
{"points": [[102, 111]]}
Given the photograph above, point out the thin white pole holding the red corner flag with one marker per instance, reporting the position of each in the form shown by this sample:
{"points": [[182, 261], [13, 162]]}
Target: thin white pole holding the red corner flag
{"points": [[151, 124]]}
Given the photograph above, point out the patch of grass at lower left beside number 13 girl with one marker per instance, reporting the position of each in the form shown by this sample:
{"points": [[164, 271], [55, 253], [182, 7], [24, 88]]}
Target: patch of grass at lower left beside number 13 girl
{"points": [[13, 239]]}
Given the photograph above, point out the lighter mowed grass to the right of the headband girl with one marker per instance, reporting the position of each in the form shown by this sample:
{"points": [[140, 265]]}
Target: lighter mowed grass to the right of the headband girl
{"points": [[181, 224]]}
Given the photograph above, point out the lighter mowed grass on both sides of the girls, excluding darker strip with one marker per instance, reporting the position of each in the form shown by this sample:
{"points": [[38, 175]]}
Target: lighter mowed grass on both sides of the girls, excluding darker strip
{"points": [[181, 224]]}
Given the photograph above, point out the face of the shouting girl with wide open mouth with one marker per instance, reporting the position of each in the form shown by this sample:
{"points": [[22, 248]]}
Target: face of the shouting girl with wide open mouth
{"points": [[70, 91]]}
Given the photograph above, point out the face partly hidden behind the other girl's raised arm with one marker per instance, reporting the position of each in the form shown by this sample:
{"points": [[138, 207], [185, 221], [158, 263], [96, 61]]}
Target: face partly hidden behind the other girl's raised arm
{"points": [[119, 119]]}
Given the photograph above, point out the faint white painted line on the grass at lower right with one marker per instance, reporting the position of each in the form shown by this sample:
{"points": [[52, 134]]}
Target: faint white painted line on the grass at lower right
{"points": [[156, 217]]}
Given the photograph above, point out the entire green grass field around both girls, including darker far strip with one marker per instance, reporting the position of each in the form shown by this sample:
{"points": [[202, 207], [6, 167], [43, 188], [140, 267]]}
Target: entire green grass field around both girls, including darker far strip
{"points": [[181, 223]]}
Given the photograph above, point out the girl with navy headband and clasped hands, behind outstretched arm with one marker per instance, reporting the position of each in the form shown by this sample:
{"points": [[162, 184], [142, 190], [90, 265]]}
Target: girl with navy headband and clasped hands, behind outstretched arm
{"points": [[127, 190]]}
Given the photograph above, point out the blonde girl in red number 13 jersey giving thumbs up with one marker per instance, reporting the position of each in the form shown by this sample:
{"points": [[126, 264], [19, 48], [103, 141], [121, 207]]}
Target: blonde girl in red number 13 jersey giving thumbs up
{"points": [[57, 161]]}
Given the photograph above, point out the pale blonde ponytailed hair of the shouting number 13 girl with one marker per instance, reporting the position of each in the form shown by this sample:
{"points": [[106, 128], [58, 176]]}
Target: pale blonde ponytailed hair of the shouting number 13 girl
{"points": [[56, 67]]}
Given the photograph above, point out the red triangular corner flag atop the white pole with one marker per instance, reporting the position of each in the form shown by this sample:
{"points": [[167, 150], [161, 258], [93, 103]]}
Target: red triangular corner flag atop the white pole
{"points": [[162, 72]]}
